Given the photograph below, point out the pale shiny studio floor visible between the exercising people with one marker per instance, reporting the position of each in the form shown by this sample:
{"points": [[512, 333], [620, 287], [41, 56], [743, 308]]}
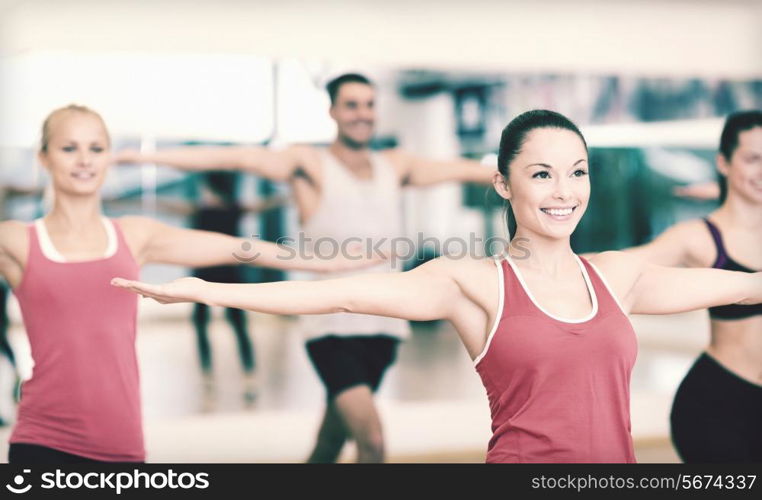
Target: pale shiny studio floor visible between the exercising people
{"points": [[432, 402]]}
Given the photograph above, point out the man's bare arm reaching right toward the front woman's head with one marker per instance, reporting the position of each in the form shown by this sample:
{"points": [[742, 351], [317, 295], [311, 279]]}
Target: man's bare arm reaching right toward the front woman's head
{"points": [[419, 171]]}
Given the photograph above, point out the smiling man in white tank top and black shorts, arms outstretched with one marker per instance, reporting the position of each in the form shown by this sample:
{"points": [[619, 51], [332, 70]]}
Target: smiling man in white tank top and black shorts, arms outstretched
{"points": [[344, 191]]}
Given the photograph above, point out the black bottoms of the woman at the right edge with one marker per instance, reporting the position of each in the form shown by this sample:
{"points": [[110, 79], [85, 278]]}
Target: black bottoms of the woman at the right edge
{"points": [[717, 416]]}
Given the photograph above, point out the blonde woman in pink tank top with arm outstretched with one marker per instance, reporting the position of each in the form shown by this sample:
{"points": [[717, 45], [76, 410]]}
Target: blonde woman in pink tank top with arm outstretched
{"points": [[82, 402]]}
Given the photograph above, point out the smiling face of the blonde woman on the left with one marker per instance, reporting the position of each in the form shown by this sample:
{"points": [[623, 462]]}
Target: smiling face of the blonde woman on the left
{"points": [[76, 152]]}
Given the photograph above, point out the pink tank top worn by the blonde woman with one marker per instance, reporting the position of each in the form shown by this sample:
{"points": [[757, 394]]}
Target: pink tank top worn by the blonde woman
{"points": [[84, 396]]}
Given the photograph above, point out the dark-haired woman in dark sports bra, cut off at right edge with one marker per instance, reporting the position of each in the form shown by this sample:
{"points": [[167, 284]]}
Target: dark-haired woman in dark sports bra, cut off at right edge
{"points": [[717, 413]]}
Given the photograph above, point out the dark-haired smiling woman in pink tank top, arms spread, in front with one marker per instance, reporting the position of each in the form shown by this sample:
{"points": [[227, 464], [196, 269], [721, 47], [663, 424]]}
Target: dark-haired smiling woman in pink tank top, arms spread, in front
{"points": [[549, 334]]}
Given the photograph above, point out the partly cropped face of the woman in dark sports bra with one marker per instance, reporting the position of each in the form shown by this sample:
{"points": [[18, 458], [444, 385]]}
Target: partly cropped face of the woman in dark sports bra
{"points": [[744, 170]]}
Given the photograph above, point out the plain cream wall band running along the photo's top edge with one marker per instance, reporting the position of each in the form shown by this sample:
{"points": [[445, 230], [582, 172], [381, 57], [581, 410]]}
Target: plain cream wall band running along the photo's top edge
{"points": [[643, 37]]}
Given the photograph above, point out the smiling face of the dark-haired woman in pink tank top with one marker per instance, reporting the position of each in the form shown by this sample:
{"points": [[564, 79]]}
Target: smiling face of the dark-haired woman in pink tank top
{"points": [[548, 184]]}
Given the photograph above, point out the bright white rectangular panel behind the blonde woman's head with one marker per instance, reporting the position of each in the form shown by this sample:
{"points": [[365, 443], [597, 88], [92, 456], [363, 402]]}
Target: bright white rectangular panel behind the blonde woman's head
{"points": [[184, 96]]}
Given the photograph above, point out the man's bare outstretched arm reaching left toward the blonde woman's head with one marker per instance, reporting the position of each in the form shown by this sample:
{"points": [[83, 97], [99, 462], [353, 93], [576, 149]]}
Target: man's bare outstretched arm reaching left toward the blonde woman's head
{"points": [[274, 165]]}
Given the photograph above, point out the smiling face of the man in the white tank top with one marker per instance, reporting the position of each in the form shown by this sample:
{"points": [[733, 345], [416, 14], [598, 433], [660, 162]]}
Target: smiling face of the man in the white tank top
{"points": [[354, 113]]}
